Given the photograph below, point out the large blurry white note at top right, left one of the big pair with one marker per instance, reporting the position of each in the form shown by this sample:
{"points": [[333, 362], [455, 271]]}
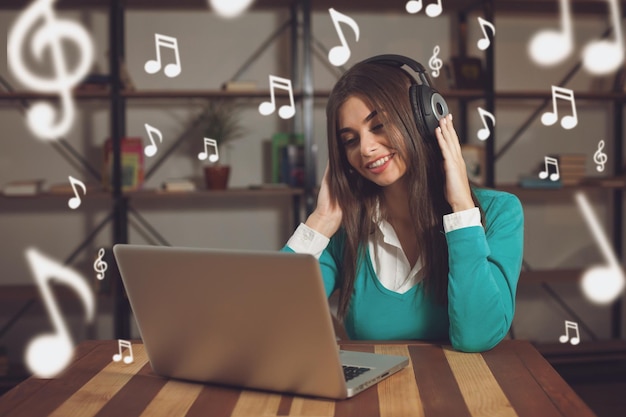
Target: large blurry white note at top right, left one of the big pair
{"points": [[549, 47]]}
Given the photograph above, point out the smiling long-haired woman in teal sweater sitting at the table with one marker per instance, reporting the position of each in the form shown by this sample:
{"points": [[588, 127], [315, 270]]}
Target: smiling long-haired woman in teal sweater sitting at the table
{"points": [[414, 251]]}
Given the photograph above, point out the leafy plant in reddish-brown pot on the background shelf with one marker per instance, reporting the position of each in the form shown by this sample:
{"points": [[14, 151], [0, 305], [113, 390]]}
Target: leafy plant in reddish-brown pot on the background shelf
{"points": [[220, 125]]}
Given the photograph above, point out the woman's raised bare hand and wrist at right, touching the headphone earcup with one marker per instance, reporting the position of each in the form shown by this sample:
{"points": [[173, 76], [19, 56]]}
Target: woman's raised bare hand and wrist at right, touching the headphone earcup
{"points": [[457, 185]]}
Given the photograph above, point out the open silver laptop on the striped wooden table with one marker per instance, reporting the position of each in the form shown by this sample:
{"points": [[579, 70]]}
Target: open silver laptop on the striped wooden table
{"points": [[256, 320]]}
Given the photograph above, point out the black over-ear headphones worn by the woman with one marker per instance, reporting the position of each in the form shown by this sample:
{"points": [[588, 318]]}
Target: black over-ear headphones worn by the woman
{"points": [[427, 104]]}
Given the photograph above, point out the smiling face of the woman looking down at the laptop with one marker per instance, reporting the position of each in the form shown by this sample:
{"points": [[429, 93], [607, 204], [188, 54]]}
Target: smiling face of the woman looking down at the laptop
{"points": [[364, 138]]}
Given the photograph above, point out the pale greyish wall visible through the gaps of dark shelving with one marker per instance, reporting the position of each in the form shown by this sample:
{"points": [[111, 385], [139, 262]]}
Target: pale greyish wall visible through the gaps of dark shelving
{"points": [[211, 51]]}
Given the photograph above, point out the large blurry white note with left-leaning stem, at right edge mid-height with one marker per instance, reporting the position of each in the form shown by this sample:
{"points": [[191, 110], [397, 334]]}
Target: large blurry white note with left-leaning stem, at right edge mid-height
{"points": [[602, 284]]}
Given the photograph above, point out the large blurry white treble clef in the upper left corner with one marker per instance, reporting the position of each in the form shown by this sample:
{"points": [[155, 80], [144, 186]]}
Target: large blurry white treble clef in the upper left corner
{"points": [[48, 32]]}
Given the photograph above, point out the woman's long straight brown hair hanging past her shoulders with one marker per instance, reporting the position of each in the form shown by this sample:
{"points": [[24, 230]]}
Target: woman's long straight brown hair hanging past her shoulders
{"points": [[386, 89]]}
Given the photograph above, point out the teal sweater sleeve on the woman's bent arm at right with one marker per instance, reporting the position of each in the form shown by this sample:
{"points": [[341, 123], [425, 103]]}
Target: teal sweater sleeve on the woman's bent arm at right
{"points": [[484, 269]]}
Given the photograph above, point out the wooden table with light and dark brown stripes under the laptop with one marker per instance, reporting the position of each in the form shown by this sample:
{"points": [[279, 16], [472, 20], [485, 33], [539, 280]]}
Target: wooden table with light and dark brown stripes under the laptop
{"points": [[513, 379]]}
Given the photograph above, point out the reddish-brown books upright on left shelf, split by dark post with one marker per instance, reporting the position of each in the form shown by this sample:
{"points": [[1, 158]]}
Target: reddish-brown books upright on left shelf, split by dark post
{"points": [[132, 163]]}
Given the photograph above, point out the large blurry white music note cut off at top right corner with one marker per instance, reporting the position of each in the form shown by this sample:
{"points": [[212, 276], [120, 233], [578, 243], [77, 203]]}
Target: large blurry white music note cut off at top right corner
{"points": [[605, 56]]}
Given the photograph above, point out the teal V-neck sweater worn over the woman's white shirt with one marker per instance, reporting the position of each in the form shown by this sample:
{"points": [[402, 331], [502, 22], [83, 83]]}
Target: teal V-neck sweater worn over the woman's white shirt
{"points": [[484, 269]]}
